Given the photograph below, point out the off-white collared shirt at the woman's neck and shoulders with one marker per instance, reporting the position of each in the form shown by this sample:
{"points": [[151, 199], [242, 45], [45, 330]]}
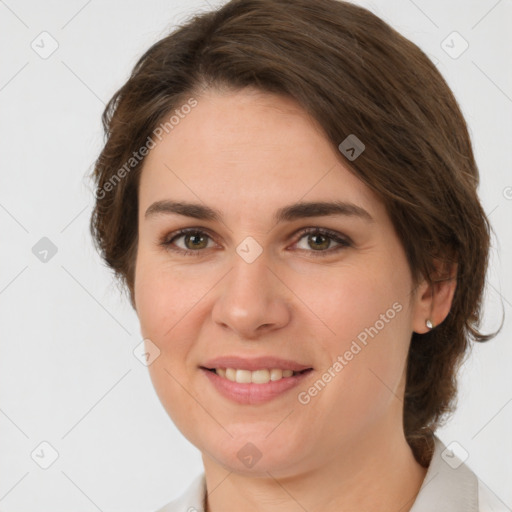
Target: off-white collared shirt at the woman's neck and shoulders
{"points": [[449, 486]]}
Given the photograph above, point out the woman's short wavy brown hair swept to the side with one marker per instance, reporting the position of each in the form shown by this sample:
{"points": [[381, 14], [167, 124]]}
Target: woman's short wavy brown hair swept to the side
{"points": [[355, 75]]}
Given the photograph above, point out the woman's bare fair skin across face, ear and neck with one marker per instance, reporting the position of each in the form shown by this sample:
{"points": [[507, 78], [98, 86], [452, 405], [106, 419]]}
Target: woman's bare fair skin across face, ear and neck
{"points": [[248, 153]]}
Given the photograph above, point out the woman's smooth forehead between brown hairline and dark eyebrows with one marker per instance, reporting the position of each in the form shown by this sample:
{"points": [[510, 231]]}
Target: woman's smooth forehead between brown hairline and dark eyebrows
{"points": [[247, 149]]}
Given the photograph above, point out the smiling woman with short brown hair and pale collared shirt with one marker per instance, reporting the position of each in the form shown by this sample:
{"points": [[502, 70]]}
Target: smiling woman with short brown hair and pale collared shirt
{"points": [[288, 190]]}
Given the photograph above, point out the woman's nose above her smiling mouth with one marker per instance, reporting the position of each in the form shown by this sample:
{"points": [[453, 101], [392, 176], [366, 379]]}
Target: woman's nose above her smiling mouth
{"points": [[252, 300]]}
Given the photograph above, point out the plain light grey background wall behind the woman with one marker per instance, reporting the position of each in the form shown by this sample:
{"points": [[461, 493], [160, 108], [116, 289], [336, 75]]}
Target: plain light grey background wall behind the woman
{"points": [[68, 375]]}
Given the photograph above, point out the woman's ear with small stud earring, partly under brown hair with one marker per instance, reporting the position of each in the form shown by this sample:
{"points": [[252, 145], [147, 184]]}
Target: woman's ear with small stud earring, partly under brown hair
{"points": [[433, 301]]}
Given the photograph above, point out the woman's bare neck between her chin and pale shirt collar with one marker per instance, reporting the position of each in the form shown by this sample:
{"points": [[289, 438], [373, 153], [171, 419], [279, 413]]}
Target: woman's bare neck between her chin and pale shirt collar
{"points": [[372, 473]]}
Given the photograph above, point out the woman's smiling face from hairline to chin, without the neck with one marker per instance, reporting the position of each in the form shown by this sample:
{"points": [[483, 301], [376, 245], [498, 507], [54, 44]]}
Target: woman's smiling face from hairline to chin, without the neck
{"points": [[265, 280]]}
